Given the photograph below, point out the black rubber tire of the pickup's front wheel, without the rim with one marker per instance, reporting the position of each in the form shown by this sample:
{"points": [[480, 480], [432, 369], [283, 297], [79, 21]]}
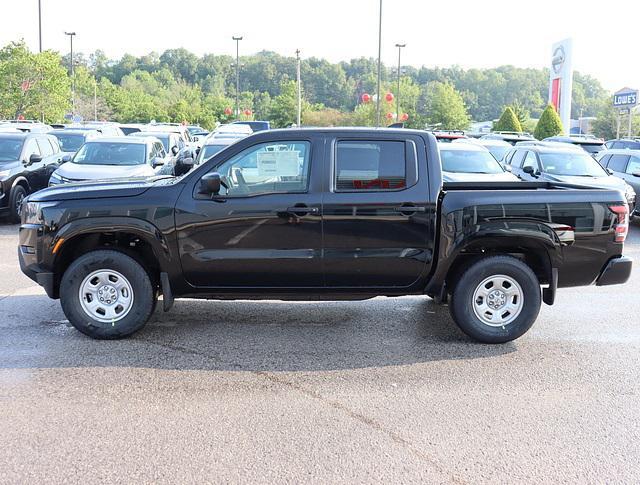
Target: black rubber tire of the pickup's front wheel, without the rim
{"points": [[143, 294]]}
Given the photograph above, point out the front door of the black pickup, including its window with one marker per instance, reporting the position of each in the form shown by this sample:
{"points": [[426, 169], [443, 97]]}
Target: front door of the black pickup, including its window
{"points": [[264, 229]]}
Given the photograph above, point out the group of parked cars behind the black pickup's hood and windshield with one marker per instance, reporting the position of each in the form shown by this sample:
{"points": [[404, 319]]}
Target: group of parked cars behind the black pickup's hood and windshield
{"points": [[34, 155]]}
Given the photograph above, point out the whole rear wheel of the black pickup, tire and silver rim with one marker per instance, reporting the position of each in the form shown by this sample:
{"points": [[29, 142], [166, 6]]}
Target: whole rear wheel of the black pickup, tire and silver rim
{"points": [[496, 300]]}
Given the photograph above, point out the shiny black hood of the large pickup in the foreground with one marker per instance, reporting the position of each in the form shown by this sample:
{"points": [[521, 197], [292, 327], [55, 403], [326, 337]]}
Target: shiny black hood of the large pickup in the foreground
{"points": [[96, 189]]}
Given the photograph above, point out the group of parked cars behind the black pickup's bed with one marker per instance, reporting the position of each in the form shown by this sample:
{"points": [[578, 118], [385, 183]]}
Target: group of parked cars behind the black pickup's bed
{"points": [[575, 160]]}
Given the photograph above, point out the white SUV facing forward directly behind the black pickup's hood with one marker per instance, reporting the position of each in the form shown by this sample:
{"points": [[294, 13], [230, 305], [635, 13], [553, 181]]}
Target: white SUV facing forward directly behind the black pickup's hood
{"points": [[111, 158]]}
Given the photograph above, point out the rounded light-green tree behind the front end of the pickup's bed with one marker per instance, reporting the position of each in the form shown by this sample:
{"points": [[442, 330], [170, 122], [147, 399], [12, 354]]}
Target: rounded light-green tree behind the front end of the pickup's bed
{"points": [[444, 107]]}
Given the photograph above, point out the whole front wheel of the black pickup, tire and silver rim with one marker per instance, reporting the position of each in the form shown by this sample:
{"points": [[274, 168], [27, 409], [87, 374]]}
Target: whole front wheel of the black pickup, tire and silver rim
{"points": [[106, 294]]}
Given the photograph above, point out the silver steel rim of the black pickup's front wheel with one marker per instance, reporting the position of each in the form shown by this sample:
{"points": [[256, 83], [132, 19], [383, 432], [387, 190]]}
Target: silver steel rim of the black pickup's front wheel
{"points": [[106, 296]]}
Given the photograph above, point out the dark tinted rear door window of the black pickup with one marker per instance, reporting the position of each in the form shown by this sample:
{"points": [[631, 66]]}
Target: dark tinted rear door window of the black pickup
{"points": [[370, 166]]}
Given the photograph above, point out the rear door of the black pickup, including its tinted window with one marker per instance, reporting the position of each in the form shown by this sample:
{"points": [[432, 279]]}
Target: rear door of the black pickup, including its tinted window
{"points": [[376, 218]]}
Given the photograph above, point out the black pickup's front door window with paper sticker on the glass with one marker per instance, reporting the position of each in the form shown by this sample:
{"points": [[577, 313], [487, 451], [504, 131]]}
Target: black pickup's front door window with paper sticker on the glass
{"points": [[267, 168]]}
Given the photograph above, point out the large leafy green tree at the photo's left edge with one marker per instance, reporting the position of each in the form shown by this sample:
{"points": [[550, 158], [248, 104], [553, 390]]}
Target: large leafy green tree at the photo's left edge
{"points": [[47, 85]]}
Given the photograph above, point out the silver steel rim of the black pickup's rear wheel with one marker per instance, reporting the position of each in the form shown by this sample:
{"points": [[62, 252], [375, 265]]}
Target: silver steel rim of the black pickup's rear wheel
{"points": [[498, 300]]}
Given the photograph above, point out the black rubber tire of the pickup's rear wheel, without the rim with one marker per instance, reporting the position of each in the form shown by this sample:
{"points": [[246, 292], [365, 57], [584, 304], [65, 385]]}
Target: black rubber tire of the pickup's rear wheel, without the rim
{"points": [[462, 300]]}
